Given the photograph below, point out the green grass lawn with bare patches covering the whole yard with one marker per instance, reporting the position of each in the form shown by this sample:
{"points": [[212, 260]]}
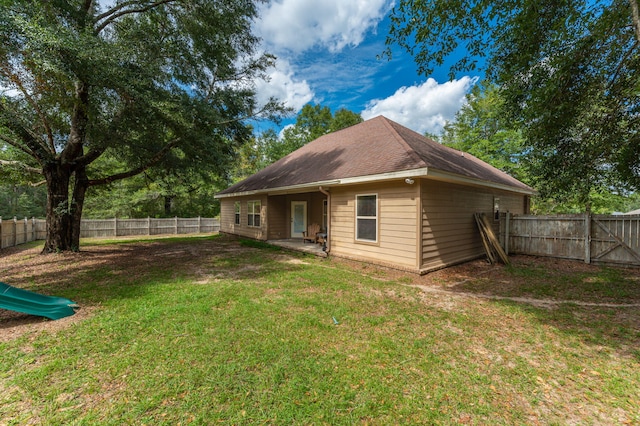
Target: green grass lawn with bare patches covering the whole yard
{"points": [[213, 330]]}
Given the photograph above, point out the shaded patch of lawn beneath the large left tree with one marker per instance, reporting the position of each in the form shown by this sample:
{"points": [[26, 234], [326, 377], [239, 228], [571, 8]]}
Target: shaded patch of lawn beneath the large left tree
{"points": [[126, 269]]}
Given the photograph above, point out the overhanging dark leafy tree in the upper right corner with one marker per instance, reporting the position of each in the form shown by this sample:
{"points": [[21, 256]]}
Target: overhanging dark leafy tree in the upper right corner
{"points": [[569, 73]]}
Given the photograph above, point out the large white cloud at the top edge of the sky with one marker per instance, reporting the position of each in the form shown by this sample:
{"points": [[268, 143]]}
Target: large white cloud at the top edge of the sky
{"points": [[298, 25]]}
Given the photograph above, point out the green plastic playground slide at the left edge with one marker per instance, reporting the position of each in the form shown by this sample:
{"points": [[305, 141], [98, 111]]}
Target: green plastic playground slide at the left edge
{"points": [[19, 300]]}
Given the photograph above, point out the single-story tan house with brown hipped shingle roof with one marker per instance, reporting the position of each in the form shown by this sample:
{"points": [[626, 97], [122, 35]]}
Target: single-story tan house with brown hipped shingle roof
{"points": [[383, 193]]}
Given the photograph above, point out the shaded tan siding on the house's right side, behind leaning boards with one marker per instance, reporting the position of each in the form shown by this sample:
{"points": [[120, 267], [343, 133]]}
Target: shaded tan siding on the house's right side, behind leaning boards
{"points": [[449, 232]]}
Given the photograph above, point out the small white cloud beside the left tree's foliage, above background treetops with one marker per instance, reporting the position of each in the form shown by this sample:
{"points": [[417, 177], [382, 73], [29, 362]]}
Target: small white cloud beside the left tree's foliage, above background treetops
{"points": [[283, 86]]}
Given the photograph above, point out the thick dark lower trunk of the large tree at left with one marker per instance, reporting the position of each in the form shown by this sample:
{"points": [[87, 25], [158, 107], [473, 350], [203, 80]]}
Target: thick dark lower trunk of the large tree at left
{"points": [[58, 214]]}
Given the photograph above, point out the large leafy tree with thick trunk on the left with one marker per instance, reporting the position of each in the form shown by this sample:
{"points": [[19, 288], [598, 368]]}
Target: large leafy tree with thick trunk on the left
{"points": [[145, 81]]}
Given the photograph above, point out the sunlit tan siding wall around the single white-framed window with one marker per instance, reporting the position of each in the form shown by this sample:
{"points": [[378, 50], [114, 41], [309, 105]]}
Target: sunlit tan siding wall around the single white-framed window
{"points": [[397, 217]]}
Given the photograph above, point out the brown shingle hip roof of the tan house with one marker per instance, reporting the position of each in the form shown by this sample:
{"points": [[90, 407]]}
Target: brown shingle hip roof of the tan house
{"points": [[374, 147]]}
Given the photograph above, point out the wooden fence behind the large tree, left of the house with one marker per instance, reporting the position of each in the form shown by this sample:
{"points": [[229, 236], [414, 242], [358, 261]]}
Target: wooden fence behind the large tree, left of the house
{"points": [[14, 231]]}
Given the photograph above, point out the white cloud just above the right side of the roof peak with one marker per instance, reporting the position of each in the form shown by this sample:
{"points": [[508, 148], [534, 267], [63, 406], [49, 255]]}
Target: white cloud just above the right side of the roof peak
{"points": [[423, 108]]}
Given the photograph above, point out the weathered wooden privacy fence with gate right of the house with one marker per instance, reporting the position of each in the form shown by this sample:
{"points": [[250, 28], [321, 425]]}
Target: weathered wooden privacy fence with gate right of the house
{"points": [[591, 238]]}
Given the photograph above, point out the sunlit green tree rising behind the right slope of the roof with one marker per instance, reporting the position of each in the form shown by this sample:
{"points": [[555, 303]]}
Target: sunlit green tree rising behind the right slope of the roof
{"points": [[481, 129]]}
